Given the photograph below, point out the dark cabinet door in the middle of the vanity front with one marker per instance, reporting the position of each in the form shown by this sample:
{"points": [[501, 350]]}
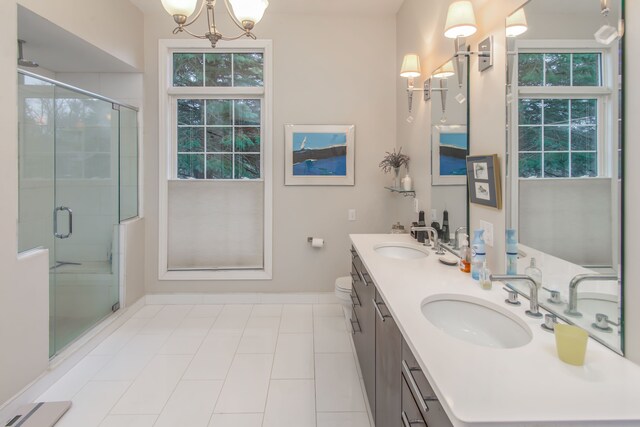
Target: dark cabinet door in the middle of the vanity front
{"points": [[388, 368]]}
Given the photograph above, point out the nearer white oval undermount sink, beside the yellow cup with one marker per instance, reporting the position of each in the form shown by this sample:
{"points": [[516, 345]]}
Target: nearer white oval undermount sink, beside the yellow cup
{"points": [[476, 321]]}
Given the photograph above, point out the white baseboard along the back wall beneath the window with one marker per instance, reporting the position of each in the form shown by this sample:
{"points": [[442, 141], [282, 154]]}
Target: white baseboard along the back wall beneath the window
{"points": [[244, 298]]}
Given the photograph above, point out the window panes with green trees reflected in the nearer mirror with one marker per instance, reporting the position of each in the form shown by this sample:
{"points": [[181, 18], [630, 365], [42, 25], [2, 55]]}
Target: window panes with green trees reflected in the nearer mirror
{"points": [[560, 122]]}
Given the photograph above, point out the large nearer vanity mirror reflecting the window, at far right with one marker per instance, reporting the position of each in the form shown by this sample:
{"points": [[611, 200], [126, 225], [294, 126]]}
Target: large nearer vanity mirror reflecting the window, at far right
{"points": [[564, 175]]}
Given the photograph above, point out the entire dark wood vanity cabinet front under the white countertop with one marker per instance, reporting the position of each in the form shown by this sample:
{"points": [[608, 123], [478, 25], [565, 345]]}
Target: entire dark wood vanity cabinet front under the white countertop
{"points": [[398, 392]]}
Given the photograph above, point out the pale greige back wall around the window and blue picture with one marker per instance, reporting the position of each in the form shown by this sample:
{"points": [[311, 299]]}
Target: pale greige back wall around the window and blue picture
{"points": [[326, 71]]}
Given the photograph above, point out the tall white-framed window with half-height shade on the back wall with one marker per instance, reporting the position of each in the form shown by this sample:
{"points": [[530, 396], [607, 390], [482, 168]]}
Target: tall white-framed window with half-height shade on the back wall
{"points": [[215, 219]]}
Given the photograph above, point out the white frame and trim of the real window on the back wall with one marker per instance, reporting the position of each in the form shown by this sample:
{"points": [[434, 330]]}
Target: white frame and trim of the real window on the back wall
{"points": [[168, 96]]}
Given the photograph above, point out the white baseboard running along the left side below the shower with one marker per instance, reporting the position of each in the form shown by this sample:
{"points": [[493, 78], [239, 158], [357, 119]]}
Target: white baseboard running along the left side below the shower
{"points": [[67, 359]]}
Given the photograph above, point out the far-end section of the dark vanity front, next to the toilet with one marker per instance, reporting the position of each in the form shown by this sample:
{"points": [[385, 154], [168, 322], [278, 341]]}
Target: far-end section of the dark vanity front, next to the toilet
{"points": [[363, 322]]}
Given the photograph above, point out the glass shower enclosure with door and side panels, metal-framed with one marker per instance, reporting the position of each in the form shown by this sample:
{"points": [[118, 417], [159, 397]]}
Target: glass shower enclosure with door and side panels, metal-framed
{"points": [[78, 166]]}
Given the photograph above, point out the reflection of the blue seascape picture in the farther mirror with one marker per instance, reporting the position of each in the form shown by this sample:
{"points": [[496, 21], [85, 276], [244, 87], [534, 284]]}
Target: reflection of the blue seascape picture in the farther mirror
{"points": [[449, 149]]}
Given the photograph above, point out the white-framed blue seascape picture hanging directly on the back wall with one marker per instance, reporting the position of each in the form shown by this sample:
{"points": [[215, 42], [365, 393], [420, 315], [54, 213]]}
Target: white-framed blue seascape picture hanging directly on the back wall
{"points": [[319, 154]]}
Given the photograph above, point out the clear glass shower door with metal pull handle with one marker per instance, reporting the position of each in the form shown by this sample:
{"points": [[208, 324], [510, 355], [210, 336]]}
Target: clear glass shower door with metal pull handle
{"points": [[86, 214]]}
